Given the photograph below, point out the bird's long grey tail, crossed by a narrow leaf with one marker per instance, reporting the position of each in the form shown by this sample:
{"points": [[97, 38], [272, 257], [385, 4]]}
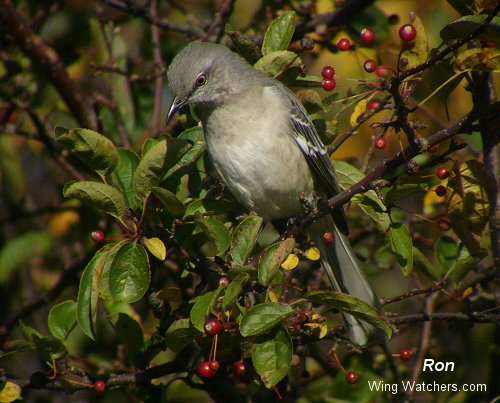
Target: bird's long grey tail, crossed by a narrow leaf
{"points": [[345, 274]]}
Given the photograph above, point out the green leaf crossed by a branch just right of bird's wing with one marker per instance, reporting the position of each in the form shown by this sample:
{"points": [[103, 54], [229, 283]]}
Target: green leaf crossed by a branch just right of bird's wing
{"points": [[347, 176]]}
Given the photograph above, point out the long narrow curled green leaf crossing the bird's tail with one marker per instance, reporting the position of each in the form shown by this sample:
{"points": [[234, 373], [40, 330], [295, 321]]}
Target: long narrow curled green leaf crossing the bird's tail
{"points": [[351, 305]]}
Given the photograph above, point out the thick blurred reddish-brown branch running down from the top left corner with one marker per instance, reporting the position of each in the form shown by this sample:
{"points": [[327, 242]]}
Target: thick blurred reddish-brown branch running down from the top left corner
{"points": [[46, 60]]}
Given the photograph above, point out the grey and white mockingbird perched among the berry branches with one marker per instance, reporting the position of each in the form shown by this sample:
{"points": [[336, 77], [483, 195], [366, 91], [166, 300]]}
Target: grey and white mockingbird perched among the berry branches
{"points": [[265, 148]]}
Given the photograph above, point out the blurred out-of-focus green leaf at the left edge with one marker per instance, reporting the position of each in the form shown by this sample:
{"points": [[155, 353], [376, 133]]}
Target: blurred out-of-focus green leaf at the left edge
{"points": [[13, 253]]}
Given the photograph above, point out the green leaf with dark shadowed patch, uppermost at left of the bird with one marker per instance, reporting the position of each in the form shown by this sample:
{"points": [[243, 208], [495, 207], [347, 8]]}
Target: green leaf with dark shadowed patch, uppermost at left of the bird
{"points": [[95, 150]]}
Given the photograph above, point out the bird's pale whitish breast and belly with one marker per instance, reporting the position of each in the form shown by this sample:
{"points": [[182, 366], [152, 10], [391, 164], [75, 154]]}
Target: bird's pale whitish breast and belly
{"points": [[251, 147]]}
